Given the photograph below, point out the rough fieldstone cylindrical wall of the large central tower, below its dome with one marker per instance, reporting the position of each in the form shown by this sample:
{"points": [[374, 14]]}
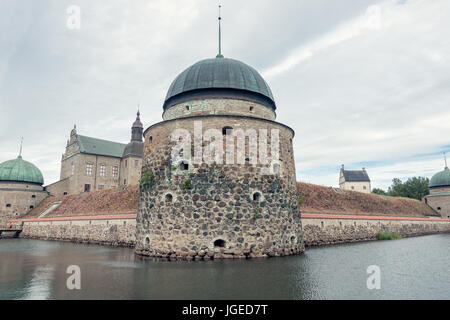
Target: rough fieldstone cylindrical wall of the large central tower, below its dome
{"points": [[184, 223]]}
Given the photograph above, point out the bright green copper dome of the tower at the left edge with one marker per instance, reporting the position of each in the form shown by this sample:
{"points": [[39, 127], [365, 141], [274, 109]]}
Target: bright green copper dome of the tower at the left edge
{"points": [[18, 170]]}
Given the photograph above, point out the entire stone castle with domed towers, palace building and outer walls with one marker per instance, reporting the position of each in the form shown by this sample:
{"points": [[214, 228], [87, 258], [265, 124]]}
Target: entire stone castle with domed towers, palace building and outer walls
{"points": [[217, 177]]}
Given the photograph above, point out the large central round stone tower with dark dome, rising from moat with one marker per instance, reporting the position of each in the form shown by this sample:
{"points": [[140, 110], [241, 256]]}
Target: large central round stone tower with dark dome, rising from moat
{"points": [[218, 178]]}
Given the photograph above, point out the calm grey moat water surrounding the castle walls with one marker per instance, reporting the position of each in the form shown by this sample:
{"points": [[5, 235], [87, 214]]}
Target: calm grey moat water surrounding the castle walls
{"points": [[413, 268]]}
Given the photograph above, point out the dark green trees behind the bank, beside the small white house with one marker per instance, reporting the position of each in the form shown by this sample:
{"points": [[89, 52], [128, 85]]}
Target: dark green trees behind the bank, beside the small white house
{"points": [[414, 188]]}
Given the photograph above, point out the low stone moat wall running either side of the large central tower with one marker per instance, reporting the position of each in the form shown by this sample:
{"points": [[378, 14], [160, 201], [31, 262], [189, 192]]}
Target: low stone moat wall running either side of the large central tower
{"points": [[316, 231]]}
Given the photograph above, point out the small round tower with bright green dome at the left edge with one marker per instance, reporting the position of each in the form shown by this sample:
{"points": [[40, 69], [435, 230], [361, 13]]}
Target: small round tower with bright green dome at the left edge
{"points": [[20, 188]]}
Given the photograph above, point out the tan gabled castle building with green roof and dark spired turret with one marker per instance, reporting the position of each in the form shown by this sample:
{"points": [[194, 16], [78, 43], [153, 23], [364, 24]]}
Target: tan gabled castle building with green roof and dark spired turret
{"points": [[91, 164]]}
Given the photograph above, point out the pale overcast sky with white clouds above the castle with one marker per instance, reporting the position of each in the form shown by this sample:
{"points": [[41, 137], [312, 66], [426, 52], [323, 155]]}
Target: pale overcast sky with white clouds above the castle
{"points": [[363, 83]]}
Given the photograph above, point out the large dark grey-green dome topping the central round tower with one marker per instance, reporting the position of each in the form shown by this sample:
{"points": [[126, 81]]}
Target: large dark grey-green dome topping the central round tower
{"points": [[219, 77]]}
